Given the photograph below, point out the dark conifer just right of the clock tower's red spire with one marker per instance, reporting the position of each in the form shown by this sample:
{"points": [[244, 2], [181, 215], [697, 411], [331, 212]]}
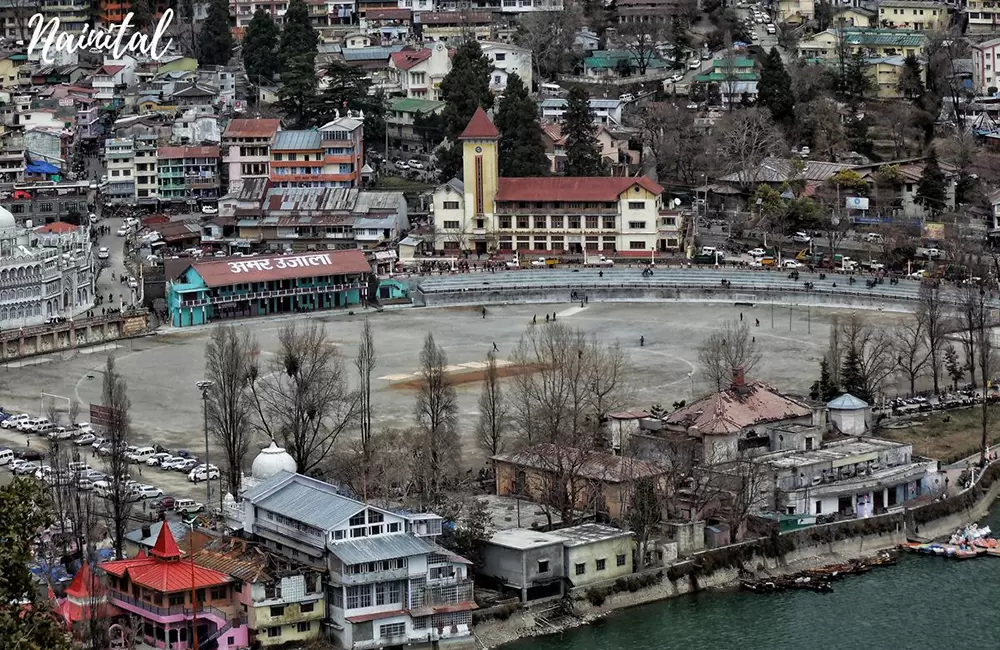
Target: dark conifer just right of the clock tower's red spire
{"points": [[522, 152]]}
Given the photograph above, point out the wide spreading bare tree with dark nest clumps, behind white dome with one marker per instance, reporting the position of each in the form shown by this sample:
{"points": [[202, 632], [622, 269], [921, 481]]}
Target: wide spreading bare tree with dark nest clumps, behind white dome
{"points": [[304, 400]]}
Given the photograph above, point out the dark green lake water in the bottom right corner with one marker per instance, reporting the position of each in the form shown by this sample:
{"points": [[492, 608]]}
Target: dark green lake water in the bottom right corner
{"points": [[923, 602]]}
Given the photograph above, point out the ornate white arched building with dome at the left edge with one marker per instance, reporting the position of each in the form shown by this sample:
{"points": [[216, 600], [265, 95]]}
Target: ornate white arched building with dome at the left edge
{"points": [[43, 273]]}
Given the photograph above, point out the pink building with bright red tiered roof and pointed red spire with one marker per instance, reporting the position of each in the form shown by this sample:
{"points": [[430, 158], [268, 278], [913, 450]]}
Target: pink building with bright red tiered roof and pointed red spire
{"points": [[173, 596]]}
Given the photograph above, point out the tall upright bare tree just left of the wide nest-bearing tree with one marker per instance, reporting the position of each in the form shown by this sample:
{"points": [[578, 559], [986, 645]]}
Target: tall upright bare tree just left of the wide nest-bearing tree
{"points": [[230, 357]]}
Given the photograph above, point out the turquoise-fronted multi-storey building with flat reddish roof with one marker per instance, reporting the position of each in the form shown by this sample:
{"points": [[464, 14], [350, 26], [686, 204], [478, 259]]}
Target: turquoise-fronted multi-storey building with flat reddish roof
{"points": [[188, 174]]}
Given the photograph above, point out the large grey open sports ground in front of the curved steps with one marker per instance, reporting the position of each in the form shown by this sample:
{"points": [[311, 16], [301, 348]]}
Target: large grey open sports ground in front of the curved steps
{"points": [[162, 370]]}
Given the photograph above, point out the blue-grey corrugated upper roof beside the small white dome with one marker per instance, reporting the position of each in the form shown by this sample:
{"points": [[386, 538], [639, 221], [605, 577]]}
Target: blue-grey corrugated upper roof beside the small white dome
{"points": [[309, 501]]}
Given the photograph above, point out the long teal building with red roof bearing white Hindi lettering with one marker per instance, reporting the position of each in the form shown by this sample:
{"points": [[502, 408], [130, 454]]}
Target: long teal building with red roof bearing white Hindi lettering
{"points": [[218, 289]]}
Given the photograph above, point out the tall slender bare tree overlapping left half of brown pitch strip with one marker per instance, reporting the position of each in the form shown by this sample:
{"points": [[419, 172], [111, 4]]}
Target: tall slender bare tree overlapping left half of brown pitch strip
{"points": [[436, 413]]}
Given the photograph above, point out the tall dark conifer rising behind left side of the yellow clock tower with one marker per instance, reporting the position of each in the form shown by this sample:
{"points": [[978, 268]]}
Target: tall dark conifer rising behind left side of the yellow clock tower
{"points": [[464, 89]]}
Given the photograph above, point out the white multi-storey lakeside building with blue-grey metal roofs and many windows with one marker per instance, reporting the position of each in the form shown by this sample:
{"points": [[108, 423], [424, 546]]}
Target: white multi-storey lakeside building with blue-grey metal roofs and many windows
{"points": [[388, 583]]}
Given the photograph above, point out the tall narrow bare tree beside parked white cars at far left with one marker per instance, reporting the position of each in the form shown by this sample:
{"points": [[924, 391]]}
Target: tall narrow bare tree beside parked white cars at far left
{"points": [[120, 501]]}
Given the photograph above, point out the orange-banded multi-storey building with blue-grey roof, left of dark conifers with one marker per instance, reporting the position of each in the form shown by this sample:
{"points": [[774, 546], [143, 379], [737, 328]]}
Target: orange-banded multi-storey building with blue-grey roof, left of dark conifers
{"points": [[329, 157]]}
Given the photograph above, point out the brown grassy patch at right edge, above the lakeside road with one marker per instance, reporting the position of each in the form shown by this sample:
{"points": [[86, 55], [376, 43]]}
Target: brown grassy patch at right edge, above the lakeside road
{"points": [[947, 436]]}
